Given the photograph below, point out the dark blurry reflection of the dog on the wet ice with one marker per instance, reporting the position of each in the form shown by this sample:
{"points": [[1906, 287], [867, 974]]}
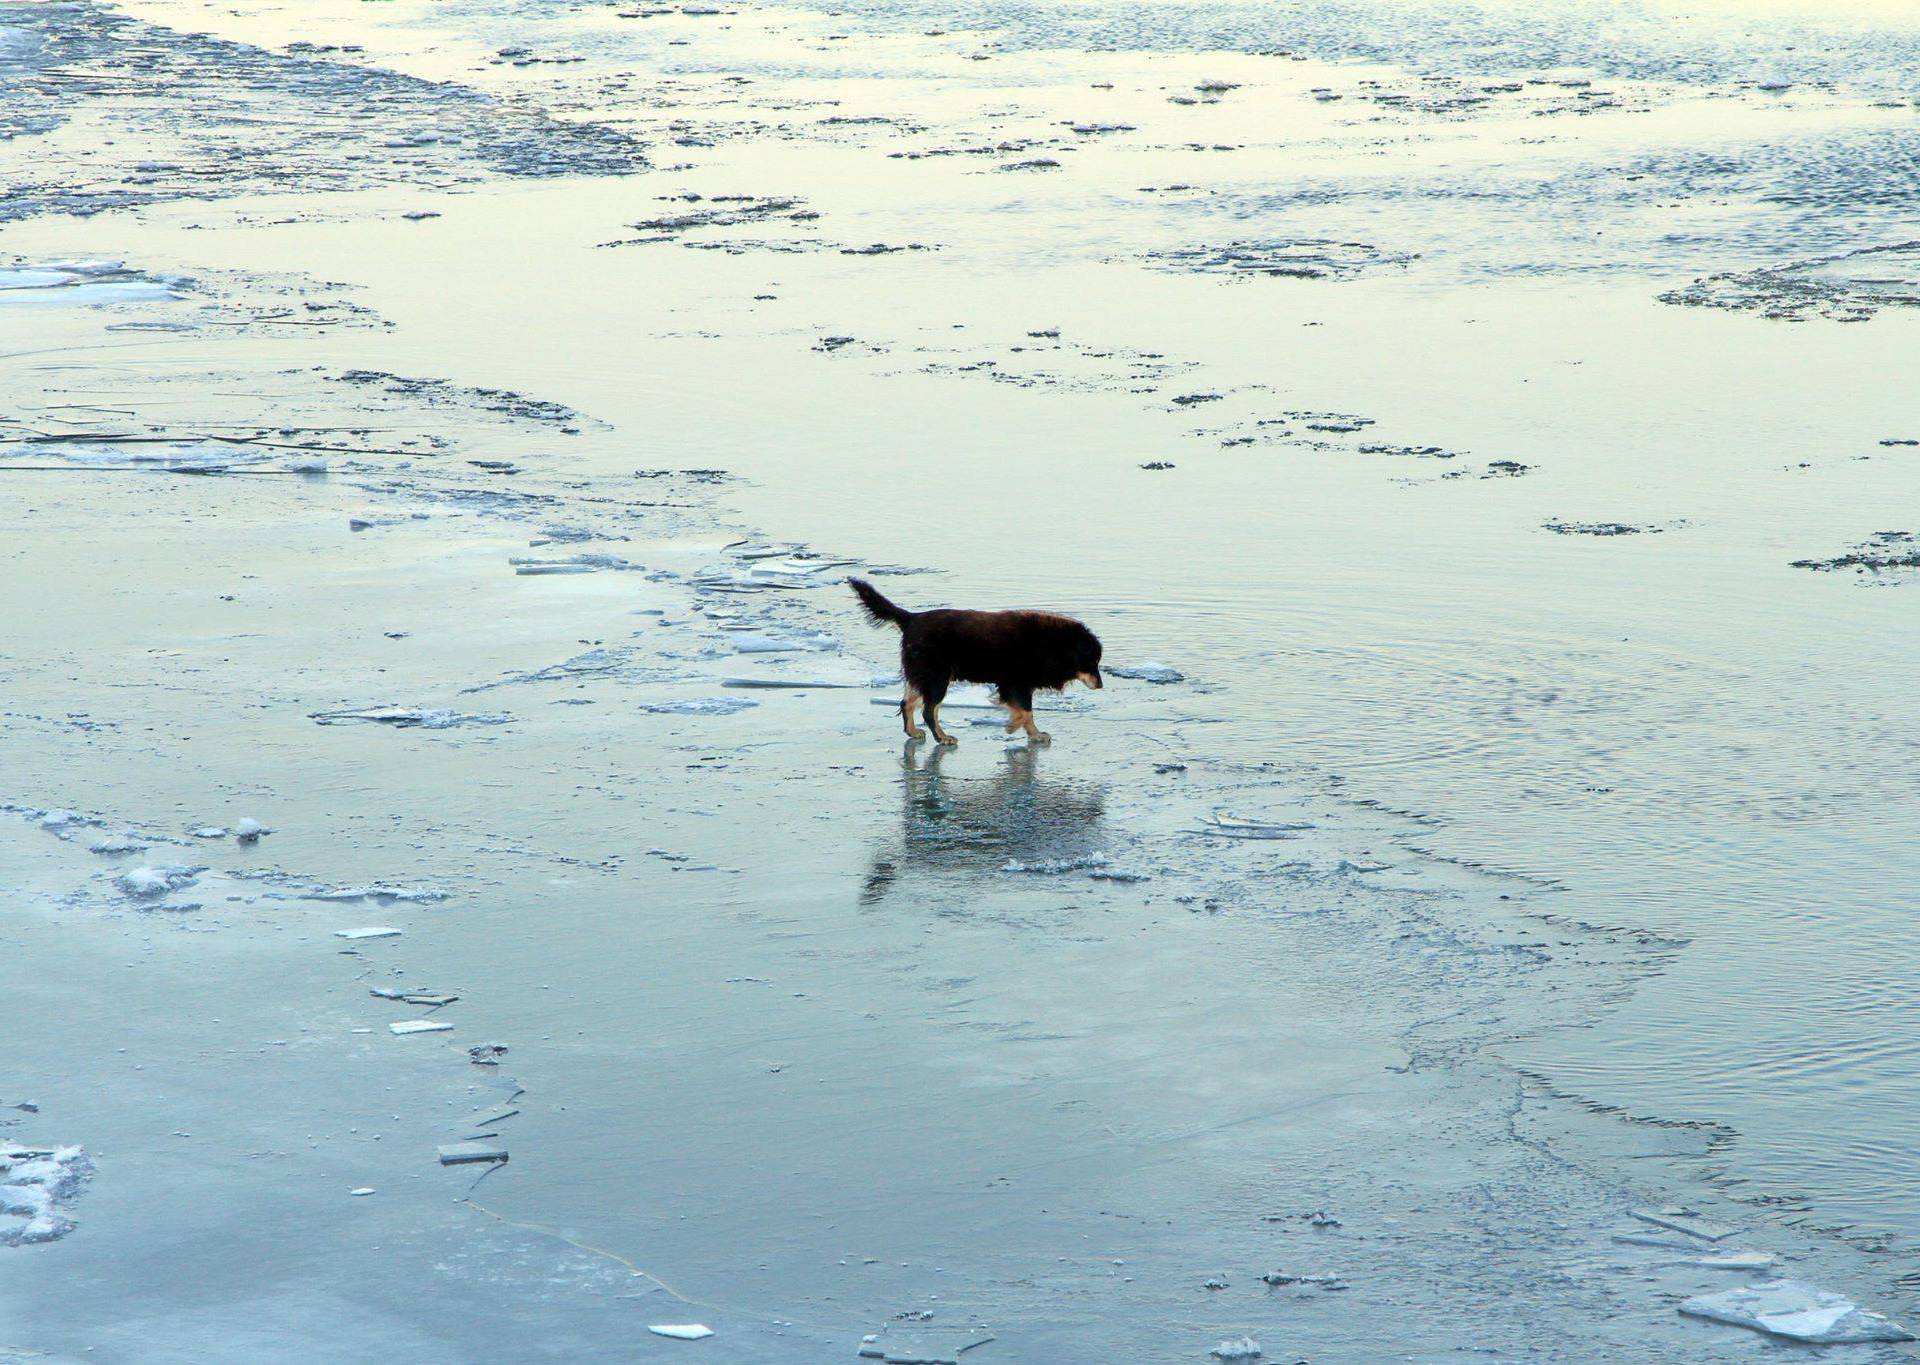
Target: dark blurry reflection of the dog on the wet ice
{"points": [[980, 823]]}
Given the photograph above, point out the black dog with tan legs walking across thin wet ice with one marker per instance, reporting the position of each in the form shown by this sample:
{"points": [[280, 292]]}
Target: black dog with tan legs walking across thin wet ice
{"points": [[1019, 652]]}
